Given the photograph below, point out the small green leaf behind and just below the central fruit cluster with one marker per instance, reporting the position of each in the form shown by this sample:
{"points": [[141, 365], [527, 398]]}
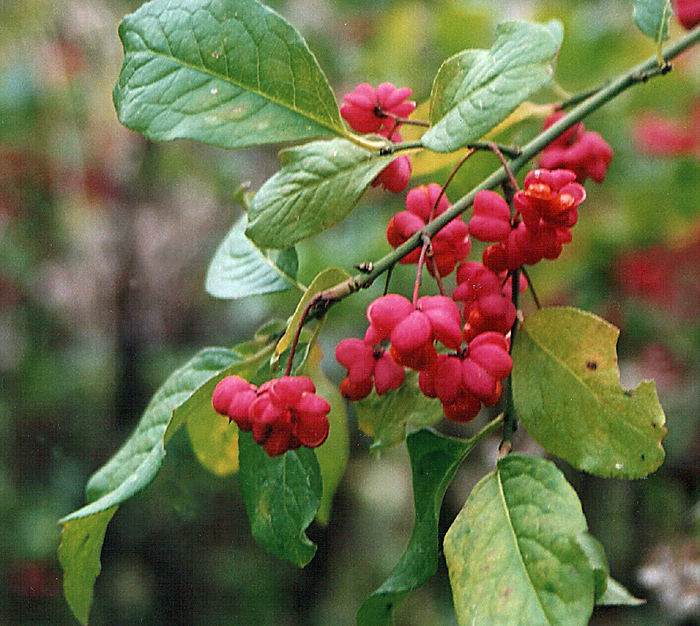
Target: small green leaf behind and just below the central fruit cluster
{"points": [[386, 417]]}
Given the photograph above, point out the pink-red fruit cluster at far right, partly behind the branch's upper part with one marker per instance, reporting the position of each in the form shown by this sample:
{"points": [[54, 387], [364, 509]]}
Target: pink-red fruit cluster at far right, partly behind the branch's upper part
{"points": [[583, 152]]}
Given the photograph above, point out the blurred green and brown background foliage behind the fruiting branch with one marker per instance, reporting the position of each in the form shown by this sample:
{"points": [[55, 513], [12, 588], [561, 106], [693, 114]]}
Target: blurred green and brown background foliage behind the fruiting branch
{"points": [[104, 243]]}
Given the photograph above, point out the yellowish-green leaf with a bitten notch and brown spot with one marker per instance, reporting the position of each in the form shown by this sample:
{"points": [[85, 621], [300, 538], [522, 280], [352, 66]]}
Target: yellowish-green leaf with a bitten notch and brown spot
{"points": [[566, 389]]}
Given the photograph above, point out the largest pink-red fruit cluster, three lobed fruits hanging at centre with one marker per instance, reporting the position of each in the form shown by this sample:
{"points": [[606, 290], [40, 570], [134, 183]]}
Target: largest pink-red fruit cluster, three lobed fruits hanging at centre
{"points": [[462, 379]]}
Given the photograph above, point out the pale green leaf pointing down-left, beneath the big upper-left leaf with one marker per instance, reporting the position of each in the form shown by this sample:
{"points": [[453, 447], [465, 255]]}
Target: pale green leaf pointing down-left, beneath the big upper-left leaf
{"points": [[318, 186]]}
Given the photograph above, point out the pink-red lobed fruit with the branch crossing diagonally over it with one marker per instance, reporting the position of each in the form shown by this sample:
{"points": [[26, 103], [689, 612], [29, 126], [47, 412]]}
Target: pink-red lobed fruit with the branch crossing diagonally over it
{"points": [[449, 246]]}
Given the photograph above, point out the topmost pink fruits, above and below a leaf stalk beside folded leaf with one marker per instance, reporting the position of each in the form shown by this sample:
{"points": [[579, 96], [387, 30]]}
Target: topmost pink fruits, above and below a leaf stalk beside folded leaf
{"points": [[380, 111]]}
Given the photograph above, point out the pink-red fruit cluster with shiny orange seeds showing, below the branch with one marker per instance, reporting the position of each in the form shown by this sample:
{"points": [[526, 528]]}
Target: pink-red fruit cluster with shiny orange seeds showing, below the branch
{"points": [[546, 209]]}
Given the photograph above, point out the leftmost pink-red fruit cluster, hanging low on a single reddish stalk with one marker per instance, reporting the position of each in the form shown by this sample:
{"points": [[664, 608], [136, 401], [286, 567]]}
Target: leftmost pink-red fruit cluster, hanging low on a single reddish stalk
{"points": [[283, 414]]}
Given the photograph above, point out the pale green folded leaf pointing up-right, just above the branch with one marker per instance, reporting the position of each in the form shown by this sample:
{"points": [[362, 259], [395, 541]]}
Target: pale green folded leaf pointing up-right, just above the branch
{"points": [[477, 89]]}
